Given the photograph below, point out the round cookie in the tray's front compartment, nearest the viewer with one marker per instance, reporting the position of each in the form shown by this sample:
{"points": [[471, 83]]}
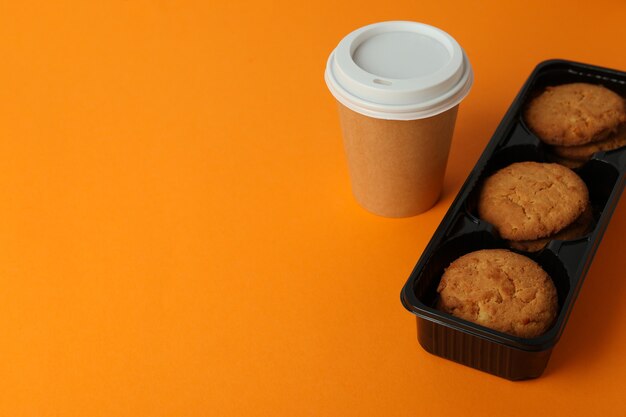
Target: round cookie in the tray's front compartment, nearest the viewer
{"points": [[499, 289]]}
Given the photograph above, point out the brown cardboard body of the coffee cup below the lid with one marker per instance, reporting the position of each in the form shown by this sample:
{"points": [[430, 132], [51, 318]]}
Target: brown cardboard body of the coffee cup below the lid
{"points": [[397, 166]]}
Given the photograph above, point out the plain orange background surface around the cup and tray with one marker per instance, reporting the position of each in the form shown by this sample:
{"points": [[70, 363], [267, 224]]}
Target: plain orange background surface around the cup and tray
{"points": [[177, 233]]}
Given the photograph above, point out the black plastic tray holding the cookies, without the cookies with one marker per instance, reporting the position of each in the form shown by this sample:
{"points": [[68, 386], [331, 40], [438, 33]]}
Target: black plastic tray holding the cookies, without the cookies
{"points": [[461, 232]]}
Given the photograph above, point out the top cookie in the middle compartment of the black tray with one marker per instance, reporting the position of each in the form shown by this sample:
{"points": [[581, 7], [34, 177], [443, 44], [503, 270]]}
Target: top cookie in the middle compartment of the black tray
{"points": [[531, 200]]}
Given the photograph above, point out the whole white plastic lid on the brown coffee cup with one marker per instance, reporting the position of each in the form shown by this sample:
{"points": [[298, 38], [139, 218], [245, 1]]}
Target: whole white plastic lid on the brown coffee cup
{"points": [[399, 71]]}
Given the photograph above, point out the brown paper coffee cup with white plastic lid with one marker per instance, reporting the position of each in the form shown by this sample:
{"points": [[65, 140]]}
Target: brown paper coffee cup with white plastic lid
{"points": [[399, 85]]}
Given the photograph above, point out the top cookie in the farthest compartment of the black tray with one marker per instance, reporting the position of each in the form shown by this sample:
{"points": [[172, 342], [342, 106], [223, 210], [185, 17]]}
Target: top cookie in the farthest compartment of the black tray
{"points": [[575, 114]]}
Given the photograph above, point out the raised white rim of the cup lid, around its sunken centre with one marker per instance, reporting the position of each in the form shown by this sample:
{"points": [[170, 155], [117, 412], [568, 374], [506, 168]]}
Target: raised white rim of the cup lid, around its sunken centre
{"points": [[405, 98]]}
